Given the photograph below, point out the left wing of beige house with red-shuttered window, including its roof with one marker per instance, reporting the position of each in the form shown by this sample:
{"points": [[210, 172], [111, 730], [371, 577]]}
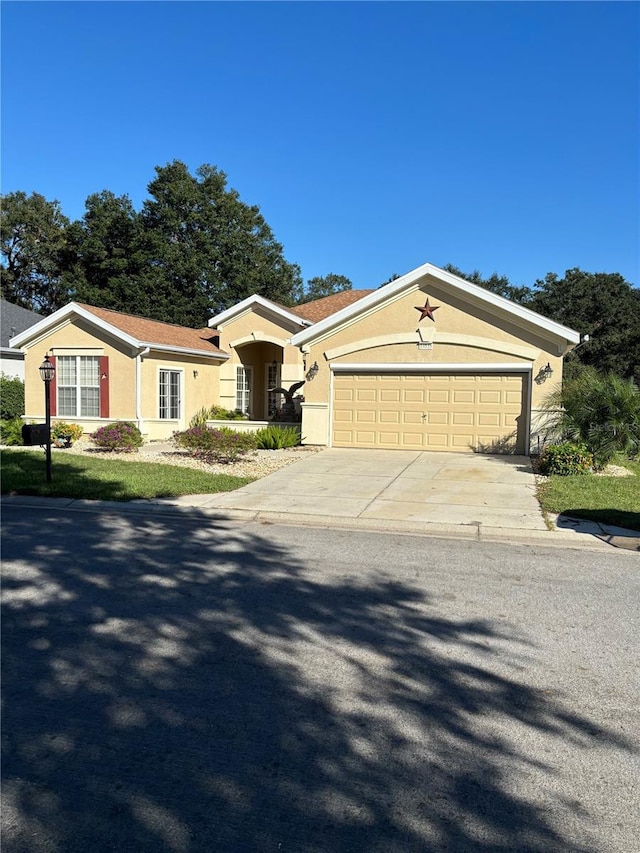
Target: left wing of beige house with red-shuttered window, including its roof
{"points": [[112, 366]]}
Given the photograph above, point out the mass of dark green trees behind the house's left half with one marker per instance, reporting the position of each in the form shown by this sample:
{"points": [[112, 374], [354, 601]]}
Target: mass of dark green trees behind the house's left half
{"points": [[194, 249]]}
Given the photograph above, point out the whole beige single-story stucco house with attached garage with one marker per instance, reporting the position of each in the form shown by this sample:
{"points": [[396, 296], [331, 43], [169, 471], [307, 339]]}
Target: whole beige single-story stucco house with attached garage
{"points": [[428, 361]]}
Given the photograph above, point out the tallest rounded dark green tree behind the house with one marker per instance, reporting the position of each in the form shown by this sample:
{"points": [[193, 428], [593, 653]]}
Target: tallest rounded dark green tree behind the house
{"points": [[206, 249]]}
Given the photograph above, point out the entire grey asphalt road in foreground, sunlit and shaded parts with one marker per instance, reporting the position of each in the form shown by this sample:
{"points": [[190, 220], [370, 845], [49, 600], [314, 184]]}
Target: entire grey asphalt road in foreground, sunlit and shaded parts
{"points": [[184, 685]]}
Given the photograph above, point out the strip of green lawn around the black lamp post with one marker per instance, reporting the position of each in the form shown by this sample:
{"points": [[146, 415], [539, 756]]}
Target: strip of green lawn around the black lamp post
{"points": [[83, 477]]}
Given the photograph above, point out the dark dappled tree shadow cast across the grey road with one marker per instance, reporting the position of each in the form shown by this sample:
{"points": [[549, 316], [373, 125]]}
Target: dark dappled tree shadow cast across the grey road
{"points": [[185, 685]]}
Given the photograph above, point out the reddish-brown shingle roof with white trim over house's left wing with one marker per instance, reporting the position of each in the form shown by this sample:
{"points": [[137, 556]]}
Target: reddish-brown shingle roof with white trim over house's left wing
{"points": [[137, 331]]}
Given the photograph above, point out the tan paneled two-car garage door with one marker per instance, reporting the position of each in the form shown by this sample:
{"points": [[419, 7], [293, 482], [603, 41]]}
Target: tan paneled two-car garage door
{"points": [[457, 411]]}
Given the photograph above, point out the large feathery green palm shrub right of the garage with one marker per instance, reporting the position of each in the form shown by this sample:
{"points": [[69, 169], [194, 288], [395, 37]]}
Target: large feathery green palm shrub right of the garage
{"points": [[601, 411]]}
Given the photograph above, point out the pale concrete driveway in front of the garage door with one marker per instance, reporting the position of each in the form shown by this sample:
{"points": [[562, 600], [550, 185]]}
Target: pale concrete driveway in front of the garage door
{"points": [[398, 486]]}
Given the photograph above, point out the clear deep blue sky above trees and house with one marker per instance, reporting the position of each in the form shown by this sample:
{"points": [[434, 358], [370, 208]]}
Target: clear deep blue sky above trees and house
{"points": [[373, 136]]}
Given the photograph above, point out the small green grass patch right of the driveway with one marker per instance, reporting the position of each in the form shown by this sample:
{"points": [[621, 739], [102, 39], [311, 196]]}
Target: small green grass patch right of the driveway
{"points": [[609, 500]]}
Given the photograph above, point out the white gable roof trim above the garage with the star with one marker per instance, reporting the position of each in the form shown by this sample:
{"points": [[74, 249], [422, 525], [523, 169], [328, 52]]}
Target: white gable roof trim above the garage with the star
{"points": [[410, 281]]}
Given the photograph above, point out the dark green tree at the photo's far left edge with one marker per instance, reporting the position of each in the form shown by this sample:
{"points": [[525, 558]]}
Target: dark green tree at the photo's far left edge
{"points": [[34, 250]]}
